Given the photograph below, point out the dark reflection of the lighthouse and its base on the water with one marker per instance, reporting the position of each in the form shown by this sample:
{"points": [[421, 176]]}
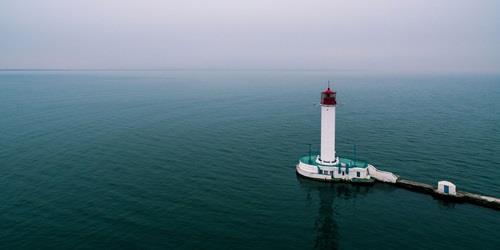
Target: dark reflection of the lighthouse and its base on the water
{"points": [[327, 233]]}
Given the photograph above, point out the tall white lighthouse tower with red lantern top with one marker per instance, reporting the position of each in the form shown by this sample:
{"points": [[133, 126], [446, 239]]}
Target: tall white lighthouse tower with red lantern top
{"points": [[328, 104]]}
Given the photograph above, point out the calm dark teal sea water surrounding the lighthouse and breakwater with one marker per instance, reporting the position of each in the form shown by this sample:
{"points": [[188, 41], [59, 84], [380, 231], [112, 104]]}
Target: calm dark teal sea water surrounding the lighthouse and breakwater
{"points": [[205, 160]]}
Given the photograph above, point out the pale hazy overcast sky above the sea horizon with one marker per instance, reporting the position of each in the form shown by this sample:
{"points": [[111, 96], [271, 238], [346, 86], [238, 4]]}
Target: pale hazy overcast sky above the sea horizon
{"points": [[455, 35]]}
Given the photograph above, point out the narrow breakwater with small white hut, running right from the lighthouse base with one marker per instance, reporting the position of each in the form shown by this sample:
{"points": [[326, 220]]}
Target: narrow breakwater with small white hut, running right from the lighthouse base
{"points": [[445, 190]]}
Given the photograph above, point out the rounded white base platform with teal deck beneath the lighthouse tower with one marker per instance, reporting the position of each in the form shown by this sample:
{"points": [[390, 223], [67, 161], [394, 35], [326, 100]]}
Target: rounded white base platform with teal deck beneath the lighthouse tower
{"points": [[346, 170]]}
